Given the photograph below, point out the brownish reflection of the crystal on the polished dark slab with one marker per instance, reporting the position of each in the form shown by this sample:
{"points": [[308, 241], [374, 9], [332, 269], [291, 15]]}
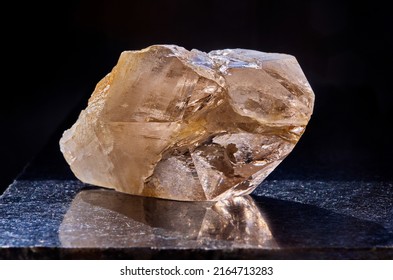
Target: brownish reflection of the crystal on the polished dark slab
{"points": [[104, 218]]}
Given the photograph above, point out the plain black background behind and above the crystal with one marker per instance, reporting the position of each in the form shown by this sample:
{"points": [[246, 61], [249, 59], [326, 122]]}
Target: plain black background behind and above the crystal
{"points": [[54, 54]]}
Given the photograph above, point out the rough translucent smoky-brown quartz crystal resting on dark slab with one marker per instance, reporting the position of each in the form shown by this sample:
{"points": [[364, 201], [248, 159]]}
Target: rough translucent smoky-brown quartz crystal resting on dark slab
{"points": [[189, 125]]}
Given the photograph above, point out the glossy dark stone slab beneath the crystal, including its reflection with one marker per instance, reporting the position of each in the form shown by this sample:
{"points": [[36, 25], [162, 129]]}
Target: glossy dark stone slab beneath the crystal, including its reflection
{"points": [[48, 214]]}
